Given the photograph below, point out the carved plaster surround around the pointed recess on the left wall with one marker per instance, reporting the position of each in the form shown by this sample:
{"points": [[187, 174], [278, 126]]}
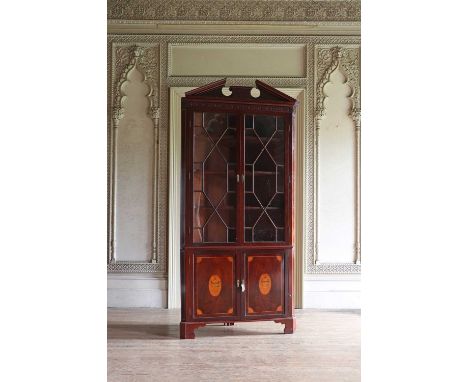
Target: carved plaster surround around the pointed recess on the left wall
{"points": [[146, 58]]}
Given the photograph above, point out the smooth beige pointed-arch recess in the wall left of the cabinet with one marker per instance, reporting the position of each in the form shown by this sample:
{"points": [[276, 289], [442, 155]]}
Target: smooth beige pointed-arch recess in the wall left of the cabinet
{"points": [[134, 173]]}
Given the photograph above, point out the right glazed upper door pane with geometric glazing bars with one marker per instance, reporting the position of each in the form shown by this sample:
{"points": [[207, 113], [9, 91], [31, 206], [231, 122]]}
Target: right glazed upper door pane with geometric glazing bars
{"points": [[264, 178]]}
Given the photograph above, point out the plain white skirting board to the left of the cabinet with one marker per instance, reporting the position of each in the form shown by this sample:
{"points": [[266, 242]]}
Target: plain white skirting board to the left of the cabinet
{"points": [[136, 291]]}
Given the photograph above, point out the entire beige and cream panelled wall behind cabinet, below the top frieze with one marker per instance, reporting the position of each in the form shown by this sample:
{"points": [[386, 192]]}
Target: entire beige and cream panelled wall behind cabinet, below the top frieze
{"points": [[322, 69]]}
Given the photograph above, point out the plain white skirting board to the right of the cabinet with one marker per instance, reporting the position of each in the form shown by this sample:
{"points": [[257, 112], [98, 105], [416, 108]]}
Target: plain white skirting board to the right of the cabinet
{"points": [[332, 291]]}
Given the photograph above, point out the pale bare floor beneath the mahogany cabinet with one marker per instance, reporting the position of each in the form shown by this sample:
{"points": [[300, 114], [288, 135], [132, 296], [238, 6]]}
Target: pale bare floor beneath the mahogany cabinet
{"points": [[144, 345]]}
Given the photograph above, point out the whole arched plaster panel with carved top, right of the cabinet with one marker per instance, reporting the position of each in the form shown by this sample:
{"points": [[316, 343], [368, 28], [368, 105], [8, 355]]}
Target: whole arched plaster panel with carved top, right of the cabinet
{"points": [[341, 65]]}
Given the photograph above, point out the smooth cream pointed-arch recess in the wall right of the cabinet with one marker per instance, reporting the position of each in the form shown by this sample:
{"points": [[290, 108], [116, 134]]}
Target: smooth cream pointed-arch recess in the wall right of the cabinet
{"points": [[336, 175]]}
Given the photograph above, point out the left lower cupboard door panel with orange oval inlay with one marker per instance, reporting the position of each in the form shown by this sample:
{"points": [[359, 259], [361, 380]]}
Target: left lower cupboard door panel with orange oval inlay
{"points": [[214, 290]]}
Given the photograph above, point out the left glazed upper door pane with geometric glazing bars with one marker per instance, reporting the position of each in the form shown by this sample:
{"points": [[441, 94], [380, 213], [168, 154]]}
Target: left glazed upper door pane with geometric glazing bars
{"points": [[214, 177]]}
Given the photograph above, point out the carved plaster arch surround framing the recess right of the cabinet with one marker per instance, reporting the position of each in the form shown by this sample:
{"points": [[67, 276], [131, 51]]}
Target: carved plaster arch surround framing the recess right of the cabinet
{"points": [[347, 58]]}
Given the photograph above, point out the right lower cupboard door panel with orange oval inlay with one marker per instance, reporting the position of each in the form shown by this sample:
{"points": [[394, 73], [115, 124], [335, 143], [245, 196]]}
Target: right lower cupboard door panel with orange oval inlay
{"points": [[265, 284]]}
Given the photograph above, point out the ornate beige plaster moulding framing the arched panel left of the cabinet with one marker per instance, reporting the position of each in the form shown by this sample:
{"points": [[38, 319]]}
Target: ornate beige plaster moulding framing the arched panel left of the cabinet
{"points": [[145, 57]]}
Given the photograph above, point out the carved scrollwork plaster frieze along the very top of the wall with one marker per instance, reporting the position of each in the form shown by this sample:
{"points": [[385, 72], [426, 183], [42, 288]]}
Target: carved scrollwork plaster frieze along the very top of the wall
{"points": [[235, 10]]}
